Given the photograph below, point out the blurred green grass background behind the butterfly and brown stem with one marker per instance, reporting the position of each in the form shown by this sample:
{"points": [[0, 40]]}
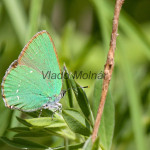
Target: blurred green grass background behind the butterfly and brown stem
{"points": [[81, 32]]}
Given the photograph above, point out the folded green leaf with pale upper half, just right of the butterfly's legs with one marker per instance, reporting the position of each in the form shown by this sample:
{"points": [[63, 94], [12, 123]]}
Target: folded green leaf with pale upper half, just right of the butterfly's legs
{"points": [[76, 122]]}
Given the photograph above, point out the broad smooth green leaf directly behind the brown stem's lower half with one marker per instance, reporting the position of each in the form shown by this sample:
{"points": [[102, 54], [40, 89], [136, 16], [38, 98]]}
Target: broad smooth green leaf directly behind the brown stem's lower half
{"points": [[106, 128]]}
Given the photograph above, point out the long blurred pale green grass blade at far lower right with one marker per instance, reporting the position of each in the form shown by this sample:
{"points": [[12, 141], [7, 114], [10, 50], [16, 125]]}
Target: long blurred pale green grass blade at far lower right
{"points": [[133, 100]]}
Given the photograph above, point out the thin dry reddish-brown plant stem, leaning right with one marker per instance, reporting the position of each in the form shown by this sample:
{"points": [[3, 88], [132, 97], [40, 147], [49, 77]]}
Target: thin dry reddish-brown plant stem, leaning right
{"points": [[108, 69]]}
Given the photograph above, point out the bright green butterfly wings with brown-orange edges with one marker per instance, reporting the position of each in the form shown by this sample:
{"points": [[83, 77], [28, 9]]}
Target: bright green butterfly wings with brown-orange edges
{"points": [[23, 86]]}
